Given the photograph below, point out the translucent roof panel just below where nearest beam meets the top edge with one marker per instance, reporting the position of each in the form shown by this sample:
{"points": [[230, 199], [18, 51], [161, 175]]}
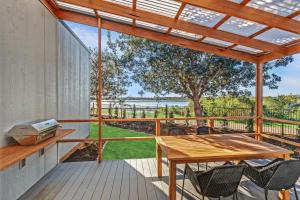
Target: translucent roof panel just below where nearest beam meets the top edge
{"points": [[200, 16]]}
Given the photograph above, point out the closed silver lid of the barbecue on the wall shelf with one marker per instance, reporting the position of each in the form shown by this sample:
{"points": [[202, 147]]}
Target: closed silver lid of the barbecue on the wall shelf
{"points": [[33, 128]]}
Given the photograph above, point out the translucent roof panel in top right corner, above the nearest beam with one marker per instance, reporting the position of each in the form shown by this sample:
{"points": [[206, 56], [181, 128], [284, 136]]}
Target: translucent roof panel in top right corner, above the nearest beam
{"points": [[278, 7]]}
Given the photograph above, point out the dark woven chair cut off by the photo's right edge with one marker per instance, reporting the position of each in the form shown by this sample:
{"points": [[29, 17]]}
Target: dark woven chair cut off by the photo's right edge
{"points": [[277, 175]]}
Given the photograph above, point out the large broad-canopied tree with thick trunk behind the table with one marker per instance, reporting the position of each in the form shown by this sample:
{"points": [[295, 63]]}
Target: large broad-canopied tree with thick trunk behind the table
{"points": [[166, 69]]}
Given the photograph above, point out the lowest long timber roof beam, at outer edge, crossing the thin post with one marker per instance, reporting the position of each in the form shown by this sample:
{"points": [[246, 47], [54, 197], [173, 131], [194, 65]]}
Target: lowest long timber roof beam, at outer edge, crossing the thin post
{"points": [[156, 36]]}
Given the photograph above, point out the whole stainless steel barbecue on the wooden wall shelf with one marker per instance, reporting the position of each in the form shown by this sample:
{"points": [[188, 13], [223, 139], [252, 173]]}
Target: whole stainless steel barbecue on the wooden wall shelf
{"points": [[34, 132]]}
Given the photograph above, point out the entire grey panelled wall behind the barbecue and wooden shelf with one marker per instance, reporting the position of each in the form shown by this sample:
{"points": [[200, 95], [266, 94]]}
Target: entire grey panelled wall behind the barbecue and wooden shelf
{"points": [[44, 73]]}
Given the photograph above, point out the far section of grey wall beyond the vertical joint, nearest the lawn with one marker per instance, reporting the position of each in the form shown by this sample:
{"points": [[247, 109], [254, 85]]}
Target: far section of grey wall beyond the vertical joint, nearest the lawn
{"points": [[73, 79]]}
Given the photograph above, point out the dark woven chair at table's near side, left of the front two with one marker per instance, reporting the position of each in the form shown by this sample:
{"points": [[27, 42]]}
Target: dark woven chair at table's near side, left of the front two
{"points": [[221, 181]]}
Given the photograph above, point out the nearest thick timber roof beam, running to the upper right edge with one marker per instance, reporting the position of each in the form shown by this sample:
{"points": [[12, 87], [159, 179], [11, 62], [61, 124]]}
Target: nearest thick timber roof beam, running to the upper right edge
{"points": [[248, 13]]}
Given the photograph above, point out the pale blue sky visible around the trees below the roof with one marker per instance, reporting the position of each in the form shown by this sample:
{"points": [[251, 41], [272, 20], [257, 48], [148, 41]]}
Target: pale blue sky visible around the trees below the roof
{"points": [[290, 75]]}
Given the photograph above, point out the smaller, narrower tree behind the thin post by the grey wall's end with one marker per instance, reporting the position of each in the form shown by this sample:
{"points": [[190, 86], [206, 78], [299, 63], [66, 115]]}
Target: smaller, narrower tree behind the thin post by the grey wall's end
{"points": [[115, 79]]}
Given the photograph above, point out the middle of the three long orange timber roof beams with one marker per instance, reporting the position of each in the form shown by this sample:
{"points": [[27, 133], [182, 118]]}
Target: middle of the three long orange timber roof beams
{"points": [[177, 24]]}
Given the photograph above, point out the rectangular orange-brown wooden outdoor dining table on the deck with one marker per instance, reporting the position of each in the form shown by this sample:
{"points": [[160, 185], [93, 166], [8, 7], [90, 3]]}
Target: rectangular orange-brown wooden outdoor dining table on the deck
{"points": [[211, 148]]}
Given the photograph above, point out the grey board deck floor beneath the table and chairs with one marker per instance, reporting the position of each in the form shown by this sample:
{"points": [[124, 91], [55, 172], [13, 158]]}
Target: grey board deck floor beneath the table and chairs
{"points": [[122, 180]]}
